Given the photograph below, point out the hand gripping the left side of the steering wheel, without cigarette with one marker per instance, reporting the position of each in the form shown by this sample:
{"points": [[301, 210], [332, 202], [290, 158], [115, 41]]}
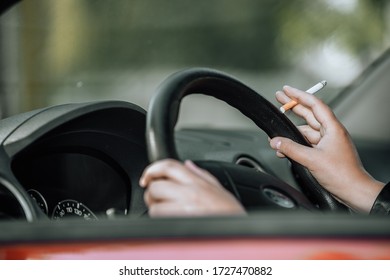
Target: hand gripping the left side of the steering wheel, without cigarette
{"points": [[177, 189]]}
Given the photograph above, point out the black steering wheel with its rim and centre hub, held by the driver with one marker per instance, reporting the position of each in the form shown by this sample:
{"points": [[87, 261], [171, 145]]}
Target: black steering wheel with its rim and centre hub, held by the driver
{"points": [[163, 115]]}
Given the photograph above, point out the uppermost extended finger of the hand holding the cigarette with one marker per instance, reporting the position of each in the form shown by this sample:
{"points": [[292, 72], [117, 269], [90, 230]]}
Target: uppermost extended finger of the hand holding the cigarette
{"points": [[322, 113]]}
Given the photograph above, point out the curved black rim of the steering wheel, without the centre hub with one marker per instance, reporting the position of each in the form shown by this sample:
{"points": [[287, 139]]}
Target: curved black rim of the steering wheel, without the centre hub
{"points": [[164, 110]]}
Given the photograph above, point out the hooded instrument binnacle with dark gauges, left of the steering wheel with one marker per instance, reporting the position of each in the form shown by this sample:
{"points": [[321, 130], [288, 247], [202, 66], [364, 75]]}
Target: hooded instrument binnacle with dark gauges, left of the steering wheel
{"points": [[85, 166]]}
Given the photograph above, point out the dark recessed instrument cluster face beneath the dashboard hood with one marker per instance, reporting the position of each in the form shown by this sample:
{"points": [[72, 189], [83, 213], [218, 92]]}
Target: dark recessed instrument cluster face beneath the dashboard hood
{"points": [[75, 174]]}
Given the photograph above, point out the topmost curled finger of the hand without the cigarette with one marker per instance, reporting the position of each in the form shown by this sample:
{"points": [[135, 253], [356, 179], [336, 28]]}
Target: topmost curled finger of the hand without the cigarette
{"points": [[166, 169]]}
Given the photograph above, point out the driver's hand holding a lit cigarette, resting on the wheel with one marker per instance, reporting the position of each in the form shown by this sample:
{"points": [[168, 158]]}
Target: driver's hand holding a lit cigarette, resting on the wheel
{"points": [[332, 159]]}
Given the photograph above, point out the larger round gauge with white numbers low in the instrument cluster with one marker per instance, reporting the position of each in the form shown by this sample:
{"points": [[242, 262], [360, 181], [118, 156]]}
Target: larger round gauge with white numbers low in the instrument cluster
{"points": [[72, 208]]}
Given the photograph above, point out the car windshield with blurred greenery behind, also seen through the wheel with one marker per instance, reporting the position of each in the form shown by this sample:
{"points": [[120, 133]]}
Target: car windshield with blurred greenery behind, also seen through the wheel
{"points": [[55, 52]]}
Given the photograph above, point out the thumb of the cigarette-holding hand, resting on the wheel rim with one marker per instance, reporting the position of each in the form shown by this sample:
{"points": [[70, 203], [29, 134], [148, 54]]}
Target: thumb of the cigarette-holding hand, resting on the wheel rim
{"points": [[297, 152]]}
